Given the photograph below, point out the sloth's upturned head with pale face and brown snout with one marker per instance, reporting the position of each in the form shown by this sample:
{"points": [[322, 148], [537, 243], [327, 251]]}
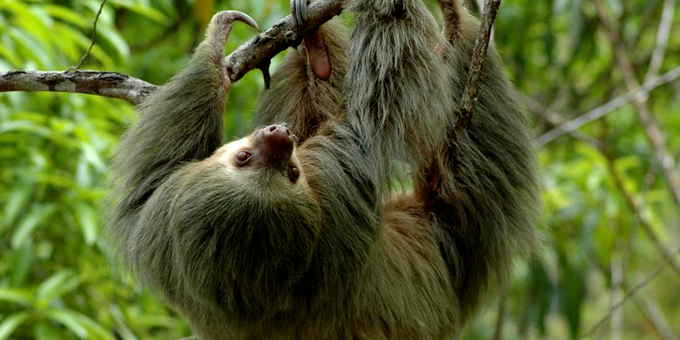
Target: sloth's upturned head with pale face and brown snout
{"points": [[248, 205]]}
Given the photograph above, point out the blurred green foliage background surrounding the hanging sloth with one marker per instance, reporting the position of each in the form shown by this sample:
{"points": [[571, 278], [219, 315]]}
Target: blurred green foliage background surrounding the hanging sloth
{"points": [[609, 211]]}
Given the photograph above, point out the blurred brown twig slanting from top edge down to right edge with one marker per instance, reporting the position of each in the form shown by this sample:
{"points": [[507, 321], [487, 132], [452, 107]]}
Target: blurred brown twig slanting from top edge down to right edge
{"points": [[652, 131]]}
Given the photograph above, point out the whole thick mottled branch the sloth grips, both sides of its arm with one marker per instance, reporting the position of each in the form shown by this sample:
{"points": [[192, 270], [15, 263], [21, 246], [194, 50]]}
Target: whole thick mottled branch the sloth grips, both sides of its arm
{"points": [[248, 56]]}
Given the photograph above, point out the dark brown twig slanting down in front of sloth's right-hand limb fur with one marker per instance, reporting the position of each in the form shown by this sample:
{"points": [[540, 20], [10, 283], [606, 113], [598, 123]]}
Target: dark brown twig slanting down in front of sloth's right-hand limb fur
{"points": [[478, 58]]}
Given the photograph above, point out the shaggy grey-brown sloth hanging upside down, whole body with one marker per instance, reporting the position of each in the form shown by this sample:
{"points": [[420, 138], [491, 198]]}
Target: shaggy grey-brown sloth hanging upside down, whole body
{"points": [[275, 236]]}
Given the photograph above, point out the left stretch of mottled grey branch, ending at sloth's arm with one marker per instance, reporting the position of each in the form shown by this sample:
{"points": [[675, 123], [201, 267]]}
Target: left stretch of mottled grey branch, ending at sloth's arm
{"points": [[106, 84]]}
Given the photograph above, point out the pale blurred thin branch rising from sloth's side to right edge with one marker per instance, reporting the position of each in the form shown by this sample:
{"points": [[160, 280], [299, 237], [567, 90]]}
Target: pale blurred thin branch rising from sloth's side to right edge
{"points": [[607, 108]]}
